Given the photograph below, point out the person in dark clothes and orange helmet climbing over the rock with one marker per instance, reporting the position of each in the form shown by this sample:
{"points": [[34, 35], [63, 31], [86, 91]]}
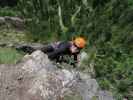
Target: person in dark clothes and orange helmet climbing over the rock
{"points": [[58, 49]]}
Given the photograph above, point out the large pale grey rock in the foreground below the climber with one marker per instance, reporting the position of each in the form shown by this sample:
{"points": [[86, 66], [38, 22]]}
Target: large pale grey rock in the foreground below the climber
{"points": [[37, 78]]}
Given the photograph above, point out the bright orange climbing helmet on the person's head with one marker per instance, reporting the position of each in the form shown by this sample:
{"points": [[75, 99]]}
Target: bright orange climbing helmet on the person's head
{"points": [[80, 42]]}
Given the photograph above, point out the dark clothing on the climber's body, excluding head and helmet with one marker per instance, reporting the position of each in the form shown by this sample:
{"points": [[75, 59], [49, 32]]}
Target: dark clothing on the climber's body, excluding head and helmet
{"points": [[54, 50]]}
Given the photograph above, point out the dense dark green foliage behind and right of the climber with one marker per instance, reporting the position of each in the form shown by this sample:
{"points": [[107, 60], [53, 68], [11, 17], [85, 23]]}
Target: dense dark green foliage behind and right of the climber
{"points": [[107, 25]]}
